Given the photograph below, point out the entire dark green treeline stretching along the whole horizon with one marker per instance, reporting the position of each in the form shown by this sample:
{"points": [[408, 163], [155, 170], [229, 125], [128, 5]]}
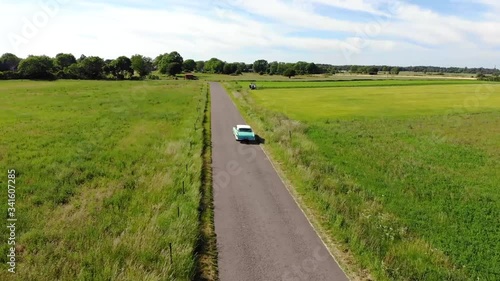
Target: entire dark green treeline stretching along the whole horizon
{"points": [[66, 66]]}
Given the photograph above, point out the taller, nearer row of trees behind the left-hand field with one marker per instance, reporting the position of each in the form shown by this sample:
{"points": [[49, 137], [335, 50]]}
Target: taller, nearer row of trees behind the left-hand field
{"points": [[66, 66]]}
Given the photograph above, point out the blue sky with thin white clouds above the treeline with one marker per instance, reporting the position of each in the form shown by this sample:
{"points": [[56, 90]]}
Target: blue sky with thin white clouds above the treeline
{"points": [[461, 33]]}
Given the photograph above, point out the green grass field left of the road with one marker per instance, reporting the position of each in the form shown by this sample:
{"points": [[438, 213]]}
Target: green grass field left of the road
{"points": [[100, 170]]}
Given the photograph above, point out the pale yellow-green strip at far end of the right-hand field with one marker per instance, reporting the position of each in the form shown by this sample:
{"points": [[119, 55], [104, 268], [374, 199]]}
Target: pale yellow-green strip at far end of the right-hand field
{"points": [[380, 100]]}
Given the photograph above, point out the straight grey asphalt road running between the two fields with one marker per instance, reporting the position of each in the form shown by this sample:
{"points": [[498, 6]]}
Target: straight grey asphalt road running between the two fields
{"points": [[261, 232]]}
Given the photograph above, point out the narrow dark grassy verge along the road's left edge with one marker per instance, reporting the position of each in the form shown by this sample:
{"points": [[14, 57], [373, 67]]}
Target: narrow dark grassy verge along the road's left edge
{"points": [[207, 248]]}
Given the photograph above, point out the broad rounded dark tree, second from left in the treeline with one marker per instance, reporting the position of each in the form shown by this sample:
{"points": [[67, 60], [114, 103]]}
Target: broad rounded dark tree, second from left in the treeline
{"points": [[37, 67]]}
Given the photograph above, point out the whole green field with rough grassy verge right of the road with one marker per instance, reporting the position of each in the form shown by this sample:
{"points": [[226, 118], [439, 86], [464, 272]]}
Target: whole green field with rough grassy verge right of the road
{"points": [[405, 177]]}
